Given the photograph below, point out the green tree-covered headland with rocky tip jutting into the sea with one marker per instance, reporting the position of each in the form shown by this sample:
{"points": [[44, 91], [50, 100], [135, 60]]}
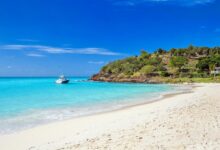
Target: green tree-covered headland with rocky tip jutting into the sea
{"points": [[177, 65]]}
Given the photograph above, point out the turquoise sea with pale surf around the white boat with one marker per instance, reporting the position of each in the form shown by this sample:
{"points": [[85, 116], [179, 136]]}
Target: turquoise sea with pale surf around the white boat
{"points": [[27, 102]]}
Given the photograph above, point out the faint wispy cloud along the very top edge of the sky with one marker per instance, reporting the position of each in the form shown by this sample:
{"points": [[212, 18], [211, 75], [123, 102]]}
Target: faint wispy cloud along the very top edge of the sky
{"points": [[176, 2]]}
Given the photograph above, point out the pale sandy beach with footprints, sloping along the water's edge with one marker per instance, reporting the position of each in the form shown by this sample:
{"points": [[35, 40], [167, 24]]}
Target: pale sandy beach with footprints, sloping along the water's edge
{"points": [[184, 121]]}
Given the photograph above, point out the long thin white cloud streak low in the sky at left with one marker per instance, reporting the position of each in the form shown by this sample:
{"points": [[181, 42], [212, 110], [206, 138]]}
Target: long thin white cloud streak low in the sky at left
{"points": [[59, 50]]}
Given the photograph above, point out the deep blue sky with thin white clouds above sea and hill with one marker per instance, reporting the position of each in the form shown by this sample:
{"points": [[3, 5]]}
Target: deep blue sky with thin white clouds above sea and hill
{"points": [[77, 37]]}
